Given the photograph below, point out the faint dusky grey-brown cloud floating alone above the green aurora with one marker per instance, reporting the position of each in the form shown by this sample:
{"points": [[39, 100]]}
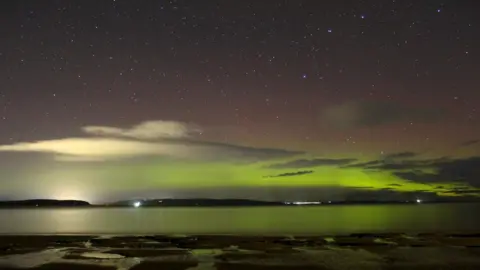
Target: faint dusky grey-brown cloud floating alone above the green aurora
{"points": [[375, 113]]}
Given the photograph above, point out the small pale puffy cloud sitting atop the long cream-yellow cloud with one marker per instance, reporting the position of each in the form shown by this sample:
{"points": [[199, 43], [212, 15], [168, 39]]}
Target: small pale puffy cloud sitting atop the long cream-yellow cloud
{"points": [[145, 130]]}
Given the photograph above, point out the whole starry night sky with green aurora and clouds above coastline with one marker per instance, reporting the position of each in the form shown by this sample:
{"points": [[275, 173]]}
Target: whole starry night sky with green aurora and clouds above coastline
{"points": [[272, 100]]}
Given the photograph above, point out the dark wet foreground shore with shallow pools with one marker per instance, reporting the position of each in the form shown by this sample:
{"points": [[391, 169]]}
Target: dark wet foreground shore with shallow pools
{"points": [[356, 251]]}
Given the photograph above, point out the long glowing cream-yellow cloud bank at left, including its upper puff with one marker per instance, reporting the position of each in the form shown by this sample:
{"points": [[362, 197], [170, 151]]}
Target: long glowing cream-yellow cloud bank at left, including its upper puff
{"points": [[114, 148]]}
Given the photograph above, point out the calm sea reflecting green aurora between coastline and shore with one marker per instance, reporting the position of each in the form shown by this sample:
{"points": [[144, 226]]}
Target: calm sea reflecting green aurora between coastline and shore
{"points": [[248, 220]]}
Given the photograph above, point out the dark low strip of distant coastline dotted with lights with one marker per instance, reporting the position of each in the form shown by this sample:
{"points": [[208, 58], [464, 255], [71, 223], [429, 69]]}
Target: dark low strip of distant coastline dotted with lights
{"points": [[150, 203]]}
